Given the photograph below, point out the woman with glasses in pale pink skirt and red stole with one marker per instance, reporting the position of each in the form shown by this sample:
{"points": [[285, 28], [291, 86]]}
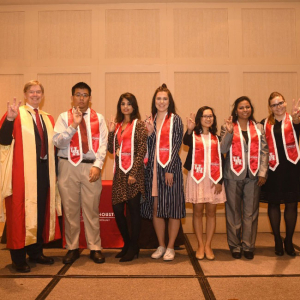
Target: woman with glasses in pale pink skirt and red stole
{"points": [[204, 180]]}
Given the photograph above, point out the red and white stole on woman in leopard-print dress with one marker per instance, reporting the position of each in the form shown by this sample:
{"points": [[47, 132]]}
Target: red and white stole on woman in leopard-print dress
{"points": [[126, 143]]}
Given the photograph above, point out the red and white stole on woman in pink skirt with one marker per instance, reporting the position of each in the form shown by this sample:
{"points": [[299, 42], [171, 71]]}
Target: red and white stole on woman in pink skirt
{"points": [[200, 155]]}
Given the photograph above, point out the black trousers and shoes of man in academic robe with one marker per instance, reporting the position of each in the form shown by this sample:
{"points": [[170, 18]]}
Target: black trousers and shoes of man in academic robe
{"points": [[35, 250]]}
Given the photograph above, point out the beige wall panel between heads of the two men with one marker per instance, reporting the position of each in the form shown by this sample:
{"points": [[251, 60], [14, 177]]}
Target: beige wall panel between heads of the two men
{"points": [[58, 91]]}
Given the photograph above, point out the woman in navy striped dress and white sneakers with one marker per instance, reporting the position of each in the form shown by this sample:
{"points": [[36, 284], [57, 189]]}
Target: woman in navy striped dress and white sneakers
{"points": [[163, 176]]}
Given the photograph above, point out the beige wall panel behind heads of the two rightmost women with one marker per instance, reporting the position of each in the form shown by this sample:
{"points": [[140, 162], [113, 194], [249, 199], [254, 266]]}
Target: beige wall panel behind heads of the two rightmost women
{"points": [[259, 86]]}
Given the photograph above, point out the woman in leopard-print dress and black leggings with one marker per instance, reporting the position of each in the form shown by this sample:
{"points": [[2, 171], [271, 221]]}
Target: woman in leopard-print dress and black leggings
{"points": [[127, 140]]}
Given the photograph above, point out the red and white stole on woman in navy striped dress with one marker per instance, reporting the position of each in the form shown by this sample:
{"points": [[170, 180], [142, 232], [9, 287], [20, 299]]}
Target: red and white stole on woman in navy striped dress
{"points": [[164, 141]]}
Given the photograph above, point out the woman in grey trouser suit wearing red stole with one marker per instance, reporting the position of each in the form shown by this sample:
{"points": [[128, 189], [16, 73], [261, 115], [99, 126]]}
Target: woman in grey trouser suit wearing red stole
{"points": [[245, 171]]}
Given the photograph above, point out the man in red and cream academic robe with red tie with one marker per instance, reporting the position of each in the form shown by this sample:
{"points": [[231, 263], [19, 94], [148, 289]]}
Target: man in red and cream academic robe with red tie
{"points": [[31, 217]]}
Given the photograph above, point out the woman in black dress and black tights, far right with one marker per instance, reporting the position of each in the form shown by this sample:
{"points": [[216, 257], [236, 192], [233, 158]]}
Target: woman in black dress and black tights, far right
{"points": [[283, 185]]}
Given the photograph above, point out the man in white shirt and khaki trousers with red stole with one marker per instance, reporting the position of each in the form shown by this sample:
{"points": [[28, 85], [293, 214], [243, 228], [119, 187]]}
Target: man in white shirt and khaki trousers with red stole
{"points": [[80, 134]]}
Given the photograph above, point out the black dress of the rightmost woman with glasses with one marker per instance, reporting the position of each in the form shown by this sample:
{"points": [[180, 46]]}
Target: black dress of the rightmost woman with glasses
{"points": [[283, 184]]}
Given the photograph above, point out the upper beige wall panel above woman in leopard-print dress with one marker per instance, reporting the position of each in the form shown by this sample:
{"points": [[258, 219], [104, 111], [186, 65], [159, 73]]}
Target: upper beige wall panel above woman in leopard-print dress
{"points": [[132, 33]]}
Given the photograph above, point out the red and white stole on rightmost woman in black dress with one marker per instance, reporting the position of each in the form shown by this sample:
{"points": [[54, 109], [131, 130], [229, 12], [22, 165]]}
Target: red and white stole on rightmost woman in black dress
{"points": [[291, 147]]}
